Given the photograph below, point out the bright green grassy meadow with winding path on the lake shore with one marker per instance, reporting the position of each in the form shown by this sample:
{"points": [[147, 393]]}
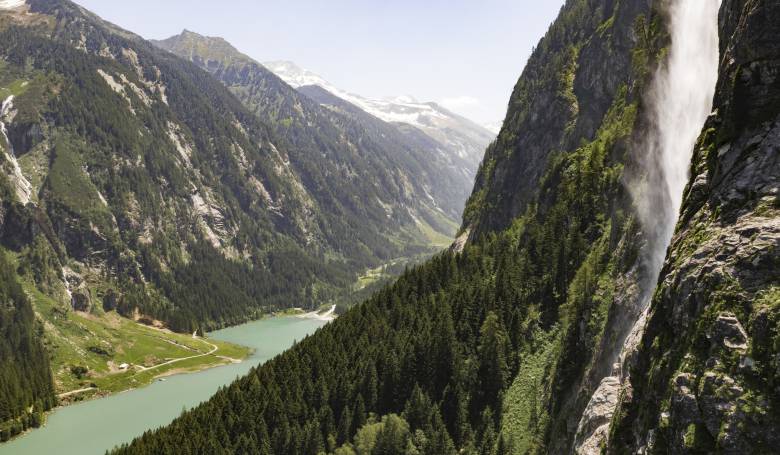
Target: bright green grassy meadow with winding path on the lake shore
{"points": [[102, 342]]}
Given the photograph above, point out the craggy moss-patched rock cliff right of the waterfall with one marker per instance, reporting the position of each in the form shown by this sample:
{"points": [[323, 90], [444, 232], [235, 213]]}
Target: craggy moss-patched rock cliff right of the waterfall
{"points": [[706, 373]]}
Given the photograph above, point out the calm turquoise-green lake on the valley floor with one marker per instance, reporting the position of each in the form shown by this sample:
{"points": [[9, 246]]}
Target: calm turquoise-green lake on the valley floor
{"points": [[95, 426]]}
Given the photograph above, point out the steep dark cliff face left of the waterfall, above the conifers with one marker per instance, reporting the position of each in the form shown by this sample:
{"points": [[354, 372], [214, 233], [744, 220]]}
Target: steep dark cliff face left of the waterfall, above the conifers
{"points": [[559, 102]]}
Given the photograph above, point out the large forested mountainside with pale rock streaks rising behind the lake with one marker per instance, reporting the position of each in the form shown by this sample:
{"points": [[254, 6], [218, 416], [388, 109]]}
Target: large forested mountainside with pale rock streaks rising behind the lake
{"points": [[133, 180]]}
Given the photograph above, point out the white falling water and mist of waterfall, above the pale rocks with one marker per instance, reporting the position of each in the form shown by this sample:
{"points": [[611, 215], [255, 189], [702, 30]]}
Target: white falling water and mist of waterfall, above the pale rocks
{"points": [[679, 101]]}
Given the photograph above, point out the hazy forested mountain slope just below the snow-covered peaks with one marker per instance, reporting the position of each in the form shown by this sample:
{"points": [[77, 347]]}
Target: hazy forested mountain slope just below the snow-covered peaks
{"points": [[383, 182]]}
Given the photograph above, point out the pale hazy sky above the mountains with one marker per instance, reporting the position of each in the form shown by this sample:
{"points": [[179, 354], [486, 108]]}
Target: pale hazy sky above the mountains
{"points": [[463, 54]]}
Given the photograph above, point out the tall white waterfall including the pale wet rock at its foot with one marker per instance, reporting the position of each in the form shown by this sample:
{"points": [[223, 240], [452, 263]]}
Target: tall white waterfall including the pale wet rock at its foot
{"points": [[679, 101]]}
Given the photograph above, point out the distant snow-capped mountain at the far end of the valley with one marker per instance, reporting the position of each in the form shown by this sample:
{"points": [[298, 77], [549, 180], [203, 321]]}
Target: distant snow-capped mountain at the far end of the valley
{"points": [[456, 134]]}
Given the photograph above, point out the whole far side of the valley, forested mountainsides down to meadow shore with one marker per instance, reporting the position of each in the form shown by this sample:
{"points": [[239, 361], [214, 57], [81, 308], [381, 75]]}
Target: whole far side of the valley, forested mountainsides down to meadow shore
{"points": [[137, 188]]}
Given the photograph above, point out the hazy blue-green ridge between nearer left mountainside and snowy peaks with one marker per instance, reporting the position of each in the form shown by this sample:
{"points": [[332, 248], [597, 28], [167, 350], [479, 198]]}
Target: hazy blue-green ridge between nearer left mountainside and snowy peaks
{"points": [[422, 187]]}
